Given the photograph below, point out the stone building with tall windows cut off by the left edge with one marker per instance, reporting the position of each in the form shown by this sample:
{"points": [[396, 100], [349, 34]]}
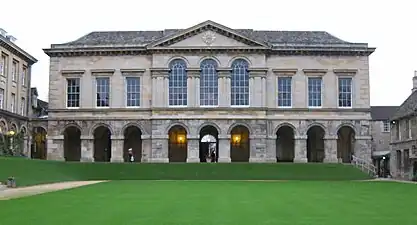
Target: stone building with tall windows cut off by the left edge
{"points": [[15, 95]]}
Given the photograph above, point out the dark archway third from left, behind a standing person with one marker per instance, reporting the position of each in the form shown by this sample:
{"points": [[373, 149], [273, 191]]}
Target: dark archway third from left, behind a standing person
{"points": [[132, 139]]}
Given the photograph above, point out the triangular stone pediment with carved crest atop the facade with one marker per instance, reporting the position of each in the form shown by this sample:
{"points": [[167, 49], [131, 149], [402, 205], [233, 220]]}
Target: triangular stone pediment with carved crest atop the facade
{"points": [[207, 34]]}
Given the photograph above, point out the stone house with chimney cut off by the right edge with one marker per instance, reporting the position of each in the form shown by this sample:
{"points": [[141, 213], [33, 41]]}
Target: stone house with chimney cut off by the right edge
{"points": [[404, 137]]}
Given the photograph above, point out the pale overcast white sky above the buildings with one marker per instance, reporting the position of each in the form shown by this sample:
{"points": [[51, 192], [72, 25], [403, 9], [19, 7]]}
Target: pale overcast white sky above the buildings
{"points": [[389, 27]]}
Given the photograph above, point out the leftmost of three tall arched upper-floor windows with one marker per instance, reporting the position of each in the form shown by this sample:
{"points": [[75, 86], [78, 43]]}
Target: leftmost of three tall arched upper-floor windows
{"points": [[178, 83]]}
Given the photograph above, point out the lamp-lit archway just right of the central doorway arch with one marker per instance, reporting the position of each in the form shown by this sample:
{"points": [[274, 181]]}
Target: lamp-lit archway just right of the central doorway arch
{"points": [[239, 144]]}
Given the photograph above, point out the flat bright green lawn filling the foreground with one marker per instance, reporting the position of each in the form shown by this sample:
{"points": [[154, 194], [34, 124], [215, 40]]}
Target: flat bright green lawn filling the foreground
{"points": [[219, 202]]}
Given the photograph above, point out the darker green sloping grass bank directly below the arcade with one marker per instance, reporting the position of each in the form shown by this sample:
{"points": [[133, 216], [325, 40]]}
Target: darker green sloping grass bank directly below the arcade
{"points": [[29, 172]]}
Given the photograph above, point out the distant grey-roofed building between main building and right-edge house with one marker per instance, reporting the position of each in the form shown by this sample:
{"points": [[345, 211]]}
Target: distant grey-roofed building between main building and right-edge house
{"points": [[381, 137]]}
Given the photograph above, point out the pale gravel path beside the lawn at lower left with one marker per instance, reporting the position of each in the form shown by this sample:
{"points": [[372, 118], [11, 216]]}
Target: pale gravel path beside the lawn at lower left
{"points": [[12, 193]]}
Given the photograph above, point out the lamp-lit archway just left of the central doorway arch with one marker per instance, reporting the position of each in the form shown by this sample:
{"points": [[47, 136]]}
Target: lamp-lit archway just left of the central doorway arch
{"points": [[177, 146]]}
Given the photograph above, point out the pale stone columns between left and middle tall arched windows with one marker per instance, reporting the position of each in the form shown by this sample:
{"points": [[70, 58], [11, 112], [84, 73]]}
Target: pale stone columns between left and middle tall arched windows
{"points": [[193, 87]]}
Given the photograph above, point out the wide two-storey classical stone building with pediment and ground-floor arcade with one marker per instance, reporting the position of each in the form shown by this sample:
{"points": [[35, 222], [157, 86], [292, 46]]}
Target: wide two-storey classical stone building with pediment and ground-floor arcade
{"points": [[171, 95]]}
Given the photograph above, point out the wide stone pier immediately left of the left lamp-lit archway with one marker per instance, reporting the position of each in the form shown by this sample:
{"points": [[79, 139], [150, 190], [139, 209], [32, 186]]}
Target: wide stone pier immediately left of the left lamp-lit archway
{"points": [[159, 150]]}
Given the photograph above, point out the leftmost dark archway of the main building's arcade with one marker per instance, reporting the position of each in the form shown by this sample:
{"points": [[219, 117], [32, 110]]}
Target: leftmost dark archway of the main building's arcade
{"points": [[72, 144]]}
